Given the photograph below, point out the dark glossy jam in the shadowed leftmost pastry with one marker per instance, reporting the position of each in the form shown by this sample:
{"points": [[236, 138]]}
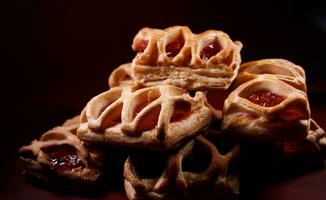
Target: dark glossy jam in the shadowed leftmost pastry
{"points": [[63, 157]]}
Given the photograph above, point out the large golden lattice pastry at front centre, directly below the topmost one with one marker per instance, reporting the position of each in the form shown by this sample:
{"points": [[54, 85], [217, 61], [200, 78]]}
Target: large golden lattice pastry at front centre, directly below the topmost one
{"points": [[155, 117]]}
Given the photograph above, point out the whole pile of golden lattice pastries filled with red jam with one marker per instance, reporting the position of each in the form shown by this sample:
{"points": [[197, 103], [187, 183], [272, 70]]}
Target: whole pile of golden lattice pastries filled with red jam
{"points": [[166, 107]]}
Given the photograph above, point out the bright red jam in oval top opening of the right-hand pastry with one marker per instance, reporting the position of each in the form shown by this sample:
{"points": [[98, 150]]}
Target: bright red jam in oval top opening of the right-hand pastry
{"points": [[266, 98]]}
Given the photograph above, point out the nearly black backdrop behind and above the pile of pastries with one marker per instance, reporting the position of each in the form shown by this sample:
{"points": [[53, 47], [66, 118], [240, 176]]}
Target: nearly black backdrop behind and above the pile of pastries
{"points": [[57, 54]]}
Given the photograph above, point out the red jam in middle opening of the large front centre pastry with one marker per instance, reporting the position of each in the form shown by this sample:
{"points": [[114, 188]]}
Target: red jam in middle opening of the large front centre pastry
{"points": [[149, 120]]}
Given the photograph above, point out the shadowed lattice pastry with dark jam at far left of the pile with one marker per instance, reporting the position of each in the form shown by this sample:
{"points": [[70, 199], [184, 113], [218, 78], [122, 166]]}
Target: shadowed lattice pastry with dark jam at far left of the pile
{"points": [[59, 156]]}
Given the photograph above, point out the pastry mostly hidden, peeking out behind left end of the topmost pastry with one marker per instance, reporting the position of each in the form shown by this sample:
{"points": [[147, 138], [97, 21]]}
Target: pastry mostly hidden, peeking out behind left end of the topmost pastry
{"points": [[121, 76]]}
